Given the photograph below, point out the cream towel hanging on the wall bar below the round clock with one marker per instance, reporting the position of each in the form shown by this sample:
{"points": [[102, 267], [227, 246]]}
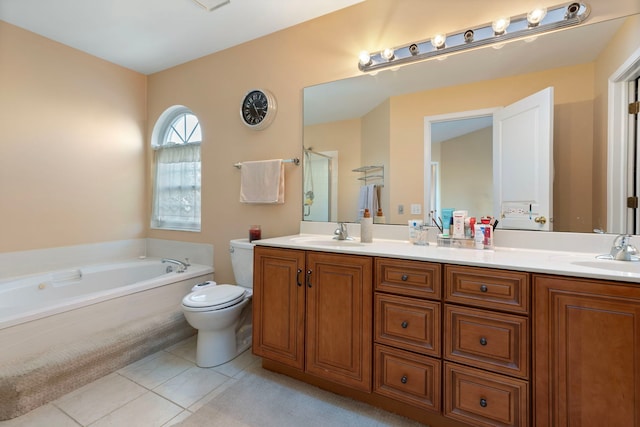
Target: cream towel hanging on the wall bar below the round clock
{"points": [[262, 181]]}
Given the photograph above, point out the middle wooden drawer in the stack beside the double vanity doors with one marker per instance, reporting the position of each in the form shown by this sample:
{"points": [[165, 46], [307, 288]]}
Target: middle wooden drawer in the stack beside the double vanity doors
{"points": [[409, 323]]}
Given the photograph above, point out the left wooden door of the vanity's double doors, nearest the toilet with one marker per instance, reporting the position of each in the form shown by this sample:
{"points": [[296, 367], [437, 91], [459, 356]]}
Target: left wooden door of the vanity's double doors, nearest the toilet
{"points": [[278, 305]]}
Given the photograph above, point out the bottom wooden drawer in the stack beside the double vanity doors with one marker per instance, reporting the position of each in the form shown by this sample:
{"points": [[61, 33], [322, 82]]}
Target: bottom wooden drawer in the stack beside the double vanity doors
{"points": [[408, 377]]}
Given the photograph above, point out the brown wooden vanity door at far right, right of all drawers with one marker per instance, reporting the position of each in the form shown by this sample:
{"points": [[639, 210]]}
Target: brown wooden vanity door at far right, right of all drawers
{"points": [[587, 352]]}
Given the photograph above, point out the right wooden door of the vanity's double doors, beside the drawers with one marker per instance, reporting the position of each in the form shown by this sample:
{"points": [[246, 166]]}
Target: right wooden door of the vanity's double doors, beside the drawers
{"points": [[339, 319]]}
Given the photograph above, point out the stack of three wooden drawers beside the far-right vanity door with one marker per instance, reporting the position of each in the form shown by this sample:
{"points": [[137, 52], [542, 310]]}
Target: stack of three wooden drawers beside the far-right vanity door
{"points": [[486, 346]]}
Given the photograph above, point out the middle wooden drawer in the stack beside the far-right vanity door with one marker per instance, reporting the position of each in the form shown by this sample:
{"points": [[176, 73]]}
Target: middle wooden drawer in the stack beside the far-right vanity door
{"points": [[494, 341]]}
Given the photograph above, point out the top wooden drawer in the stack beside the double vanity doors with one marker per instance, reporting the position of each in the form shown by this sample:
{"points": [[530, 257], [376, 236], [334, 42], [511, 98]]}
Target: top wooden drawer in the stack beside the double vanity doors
{"points": [[411, 278]]}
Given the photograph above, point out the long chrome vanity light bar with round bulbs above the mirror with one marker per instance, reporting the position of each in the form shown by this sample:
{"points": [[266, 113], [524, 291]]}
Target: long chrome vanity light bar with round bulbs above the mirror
{"points": [[526, 25]]}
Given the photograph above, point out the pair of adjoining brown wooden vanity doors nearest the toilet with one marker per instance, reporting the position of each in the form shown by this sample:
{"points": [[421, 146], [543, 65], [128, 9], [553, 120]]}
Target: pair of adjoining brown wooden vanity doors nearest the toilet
{"points": [[313, 311]]}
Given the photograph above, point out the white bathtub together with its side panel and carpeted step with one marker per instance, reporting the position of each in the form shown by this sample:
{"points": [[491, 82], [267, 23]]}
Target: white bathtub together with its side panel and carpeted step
{"points": [[88, 321]]}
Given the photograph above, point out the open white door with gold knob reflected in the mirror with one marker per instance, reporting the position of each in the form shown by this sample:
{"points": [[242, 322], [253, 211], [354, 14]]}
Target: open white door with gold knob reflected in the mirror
{"points": [[523, 163]]}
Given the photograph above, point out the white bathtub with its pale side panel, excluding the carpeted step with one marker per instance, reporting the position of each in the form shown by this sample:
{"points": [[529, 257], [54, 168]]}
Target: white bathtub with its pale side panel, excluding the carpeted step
{"points": [[50, 308]]}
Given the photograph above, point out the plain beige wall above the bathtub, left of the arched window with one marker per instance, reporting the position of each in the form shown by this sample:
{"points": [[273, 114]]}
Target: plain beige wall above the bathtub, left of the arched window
{"points": [[72, 146]]}
